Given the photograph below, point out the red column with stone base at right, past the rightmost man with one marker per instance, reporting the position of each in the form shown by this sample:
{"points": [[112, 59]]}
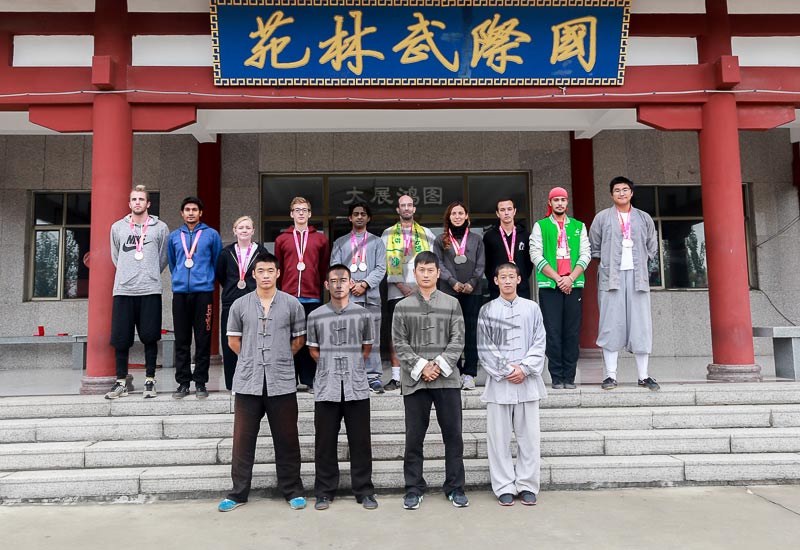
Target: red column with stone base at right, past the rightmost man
{"points": [[728, 285]]}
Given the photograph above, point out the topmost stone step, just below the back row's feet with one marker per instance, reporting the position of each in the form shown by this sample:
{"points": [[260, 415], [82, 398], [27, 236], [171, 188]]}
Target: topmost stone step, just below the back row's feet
{"points": [[68, 406]]}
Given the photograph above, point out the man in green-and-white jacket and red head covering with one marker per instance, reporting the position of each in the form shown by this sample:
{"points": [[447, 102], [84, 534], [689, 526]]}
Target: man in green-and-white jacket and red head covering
{"points": [[560, 251]]}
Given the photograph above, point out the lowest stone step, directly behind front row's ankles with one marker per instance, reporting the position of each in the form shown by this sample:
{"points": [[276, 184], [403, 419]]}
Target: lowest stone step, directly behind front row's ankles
{"points": [[143, 483]]}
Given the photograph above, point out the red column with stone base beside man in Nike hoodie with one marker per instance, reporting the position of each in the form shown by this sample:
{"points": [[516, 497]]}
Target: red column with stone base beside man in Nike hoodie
{"points": [[112, 167]]}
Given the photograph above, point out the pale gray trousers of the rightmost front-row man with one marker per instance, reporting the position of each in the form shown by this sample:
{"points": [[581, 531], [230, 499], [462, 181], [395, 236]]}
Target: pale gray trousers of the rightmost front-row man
{"points": [[523, 421]]}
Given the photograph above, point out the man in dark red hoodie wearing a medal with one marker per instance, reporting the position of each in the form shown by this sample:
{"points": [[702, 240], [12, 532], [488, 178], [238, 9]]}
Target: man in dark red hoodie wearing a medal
{"points": [[303, 254]]}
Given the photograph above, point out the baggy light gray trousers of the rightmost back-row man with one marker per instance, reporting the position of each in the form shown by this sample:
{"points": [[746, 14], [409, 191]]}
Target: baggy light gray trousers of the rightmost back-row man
{"points": [[625, 318]]}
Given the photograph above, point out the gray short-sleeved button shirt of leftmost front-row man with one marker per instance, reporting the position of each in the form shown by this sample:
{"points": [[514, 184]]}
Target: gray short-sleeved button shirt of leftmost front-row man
{"points": [[266, 343]]}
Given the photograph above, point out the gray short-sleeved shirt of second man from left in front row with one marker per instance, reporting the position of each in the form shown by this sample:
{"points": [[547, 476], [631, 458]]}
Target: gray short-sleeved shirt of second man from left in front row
{"points": [[339, 335]]}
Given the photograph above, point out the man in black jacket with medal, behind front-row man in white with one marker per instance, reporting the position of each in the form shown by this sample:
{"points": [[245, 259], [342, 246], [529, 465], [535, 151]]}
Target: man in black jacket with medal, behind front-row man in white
{"points": [[508, 242]]}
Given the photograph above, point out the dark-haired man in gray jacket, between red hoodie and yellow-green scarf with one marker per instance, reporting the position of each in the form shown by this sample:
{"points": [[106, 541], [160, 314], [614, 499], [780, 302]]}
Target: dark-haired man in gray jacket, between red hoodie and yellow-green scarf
{"points": [[365, 255]]}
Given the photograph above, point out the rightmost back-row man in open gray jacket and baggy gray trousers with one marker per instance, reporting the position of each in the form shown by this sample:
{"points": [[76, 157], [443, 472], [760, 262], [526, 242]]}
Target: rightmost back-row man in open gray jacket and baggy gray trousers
{"points": [[624, 239]]}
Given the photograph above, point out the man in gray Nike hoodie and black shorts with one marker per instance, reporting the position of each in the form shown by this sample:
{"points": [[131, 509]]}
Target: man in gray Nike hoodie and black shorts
{"points": [[139, 251]]}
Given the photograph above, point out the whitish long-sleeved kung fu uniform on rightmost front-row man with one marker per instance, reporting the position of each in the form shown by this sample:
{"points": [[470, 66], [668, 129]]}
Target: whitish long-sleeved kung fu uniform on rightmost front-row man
{"points": [[512, 333]]}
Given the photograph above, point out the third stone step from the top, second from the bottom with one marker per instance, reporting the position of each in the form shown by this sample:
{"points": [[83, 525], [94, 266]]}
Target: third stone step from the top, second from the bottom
{"points": [[211, 451]]}
